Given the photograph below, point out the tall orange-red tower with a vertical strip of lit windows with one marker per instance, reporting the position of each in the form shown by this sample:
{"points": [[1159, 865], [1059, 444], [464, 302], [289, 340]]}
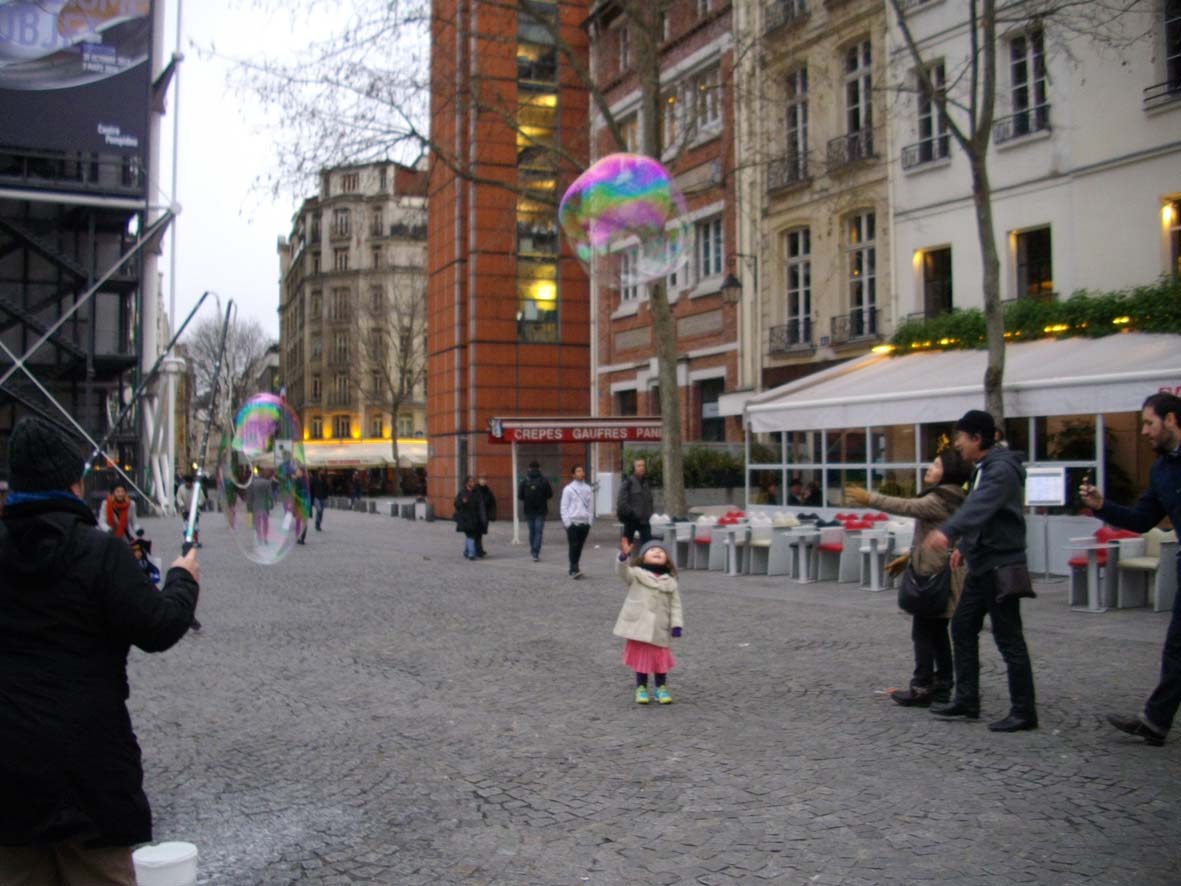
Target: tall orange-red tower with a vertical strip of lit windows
{"points": [[508, 307]]}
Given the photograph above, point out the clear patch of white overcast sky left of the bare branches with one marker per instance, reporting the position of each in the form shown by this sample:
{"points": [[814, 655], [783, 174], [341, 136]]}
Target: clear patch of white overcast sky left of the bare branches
{"points": [[227, 230]]}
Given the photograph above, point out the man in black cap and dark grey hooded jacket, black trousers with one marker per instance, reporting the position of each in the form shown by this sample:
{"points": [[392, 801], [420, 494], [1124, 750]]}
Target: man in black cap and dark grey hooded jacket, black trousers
{"points": [[990, 530]]}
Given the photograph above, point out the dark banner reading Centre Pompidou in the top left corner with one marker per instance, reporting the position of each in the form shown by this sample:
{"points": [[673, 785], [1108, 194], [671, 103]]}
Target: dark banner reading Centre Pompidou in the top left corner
{"points": [[75, 75]]}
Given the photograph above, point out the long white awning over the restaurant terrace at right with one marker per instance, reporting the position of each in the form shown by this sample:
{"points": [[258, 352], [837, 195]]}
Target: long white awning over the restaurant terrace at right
{"points": [[1052, 377]]}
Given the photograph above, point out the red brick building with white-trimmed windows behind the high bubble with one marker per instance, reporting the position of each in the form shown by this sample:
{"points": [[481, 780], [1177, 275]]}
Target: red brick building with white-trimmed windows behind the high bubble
{"points": [[696, 51]]}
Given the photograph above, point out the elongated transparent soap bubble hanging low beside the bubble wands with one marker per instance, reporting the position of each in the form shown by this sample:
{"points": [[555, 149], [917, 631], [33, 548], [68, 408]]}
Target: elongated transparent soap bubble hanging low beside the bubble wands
{"points": [[263, 479]]}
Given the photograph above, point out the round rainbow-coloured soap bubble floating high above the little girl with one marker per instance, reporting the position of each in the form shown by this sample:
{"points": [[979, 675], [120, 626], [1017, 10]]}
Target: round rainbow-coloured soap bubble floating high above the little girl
{"points": [[625, 219]]}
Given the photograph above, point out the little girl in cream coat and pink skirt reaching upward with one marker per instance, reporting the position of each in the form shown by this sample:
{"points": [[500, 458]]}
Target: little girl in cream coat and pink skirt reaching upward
{"points": [[651, 616]]}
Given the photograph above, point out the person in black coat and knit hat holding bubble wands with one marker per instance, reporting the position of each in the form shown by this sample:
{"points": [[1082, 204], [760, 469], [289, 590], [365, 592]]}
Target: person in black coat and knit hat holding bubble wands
{"points": [[73, 602]]}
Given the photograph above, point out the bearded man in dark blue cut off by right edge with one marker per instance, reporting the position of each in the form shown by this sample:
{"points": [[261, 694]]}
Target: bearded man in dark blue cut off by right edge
{"points": [[1162, 425]]}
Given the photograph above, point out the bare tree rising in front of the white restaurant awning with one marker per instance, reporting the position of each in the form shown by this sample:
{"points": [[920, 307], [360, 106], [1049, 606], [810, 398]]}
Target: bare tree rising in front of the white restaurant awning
{"points": [[968, 101]]}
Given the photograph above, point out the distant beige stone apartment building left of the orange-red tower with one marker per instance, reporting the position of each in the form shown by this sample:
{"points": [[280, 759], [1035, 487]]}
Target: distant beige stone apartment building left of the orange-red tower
{"points": [[353, 309]]}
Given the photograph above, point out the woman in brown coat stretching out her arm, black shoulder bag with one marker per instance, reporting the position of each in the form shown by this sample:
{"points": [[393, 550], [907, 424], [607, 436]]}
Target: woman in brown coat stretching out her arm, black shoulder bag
{"points": [[934, 676]]}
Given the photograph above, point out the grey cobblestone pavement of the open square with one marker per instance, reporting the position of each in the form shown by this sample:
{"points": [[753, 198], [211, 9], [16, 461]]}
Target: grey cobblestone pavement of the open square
{"points": [[377, 709]]}
